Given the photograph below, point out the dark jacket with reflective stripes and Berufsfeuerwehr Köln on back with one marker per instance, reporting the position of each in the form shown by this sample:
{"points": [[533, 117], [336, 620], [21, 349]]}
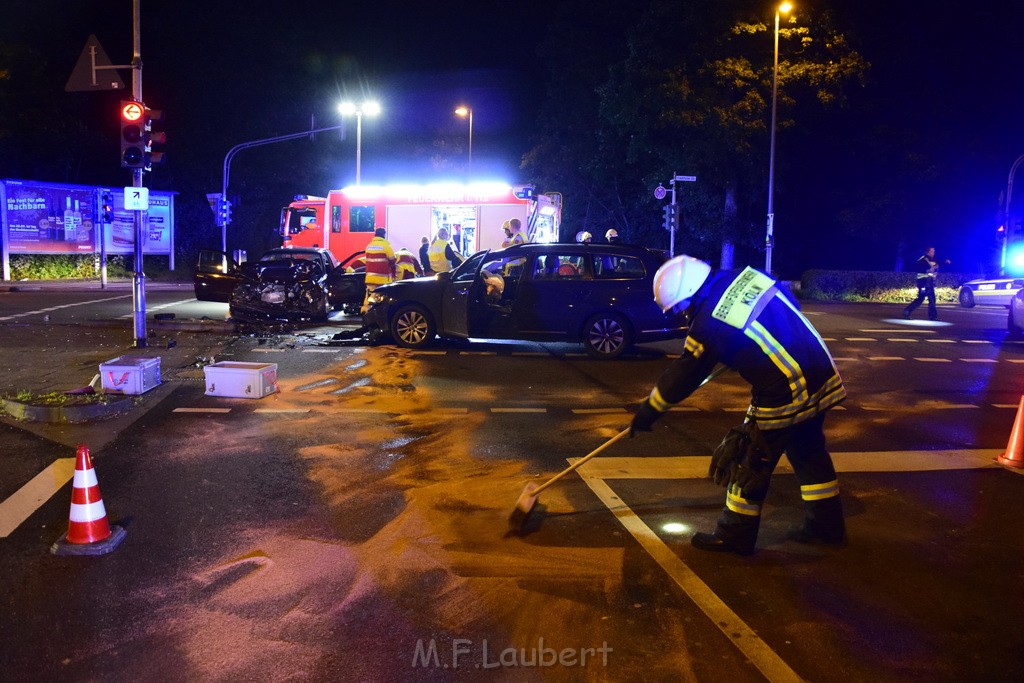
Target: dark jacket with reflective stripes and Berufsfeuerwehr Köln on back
{"points": [[745, 321]]}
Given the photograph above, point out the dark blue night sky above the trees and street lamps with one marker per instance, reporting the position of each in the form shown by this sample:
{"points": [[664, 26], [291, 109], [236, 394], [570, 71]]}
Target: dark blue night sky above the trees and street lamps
{"points": [[951, 71]]}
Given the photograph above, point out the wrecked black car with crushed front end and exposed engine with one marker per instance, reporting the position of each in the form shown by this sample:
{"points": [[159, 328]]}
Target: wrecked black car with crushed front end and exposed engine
{"points": [[287, 284]]}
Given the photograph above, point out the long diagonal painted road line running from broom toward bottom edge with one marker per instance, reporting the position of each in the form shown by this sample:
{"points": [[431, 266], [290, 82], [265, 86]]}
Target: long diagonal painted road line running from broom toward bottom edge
{"points": [[736, 630]]}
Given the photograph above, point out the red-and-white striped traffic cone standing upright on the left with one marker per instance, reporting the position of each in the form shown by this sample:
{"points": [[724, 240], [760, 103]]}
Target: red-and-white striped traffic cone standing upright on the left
{"points": [[89, 533]]}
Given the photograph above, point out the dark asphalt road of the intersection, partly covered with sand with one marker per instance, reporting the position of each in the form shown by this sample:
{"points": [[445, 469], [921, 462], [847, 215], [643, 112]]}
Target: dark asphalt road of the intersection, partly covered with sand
{"points": [[354, 526]]}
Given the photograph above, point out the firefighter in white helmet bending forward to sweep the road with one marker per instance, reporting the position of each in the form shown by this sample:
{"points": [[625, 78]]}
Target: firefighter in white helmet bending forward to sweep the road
{"points": [[746, 322]]}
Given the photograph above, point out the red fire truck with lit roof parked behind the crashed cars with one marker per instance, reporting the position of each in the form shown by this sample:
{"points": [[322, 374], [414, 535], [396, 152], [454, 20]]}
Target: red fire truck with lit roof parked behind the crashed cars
{"points": [[346, 220]]}
